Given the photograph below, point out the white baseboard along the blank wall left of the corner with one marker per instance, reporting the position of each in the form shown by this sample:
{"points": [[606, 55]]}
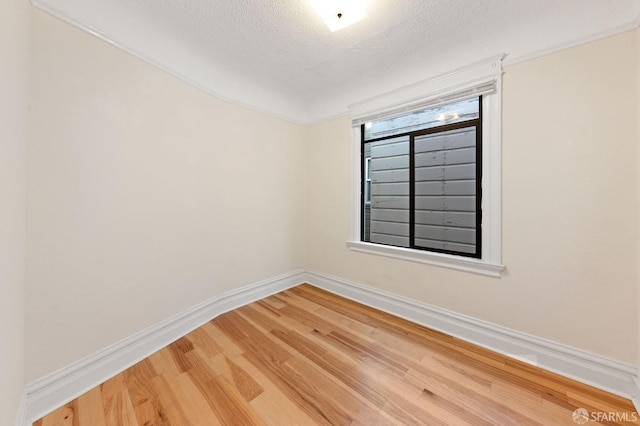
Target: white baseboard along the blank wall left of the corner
{"points": [[66, 384]]}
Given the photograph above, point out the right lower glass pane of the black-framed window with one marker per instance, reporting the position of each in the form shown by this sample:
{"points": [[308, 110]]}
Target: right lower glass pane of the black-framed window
{"points": [[445, 190]]}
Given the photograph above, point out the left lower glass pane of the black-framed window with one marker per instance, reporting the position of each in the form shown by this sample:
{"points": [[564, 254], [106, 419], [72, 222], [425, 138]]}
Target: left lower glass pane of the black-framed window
{"points": [[387, 216]]}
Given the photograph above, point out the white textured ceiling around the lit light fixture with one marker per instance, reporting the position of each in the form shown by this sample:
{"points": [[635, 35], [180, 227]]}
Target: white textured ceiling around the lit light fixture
{"points": [[279, 57]]}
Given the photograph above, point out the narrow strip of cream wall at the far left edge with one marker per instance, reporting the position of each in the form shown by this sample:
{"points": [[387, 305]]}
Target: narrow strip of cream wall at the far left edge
{"points": [[15, 52]]}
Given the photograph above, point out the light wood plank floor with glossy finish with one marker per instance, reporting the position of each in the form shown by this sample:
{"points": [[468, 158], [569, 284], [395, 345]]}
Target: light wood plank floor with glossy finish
{"points": [[305, 357]]}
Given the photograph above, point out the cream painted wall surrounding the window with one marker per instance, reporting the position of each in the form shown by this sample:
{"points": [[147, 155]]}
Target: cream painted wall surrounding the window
{"points": [[569, 207]]}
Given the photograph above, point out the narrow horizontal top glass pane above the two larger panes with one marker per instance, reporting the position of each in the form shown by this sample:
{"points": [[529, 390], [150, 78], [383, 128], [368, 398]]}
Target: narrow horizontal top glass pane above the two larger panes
{"points": [[432, 117]]}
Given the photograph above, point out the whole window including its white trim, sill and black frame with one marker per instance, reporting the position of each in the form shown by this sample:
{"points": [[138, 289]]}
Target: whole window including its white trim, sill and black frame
{"points": [[426, 171]]}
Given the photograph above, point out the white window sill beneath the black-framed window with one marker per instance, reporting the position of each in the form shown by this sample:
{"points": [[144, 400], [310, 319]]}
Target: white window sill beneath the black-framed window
{"points": [[430, 258]]}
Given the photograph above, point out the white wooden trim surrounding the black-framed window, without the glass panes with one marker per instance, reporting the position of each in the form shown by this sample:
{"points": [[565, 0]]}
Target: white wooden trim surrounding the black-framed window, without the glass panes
{"points": [[440, 86]]}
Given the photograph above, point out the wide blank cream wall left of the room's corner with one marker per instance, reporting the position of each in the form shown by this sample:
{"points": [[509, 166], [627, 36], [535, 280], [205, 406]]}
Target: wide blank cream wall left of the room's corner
{"points": [[146, 196]]}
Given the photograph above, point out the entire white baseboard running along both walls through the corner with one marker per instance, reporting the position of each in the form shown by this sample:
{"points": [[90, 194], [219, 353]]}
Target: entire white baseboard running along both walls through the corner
{"points": [[62, 386]]}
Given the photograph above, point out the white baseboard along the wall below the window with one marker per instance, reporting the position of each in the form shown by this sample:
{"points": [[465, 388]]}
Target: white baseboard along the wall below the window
{"points": [[595, 370]]}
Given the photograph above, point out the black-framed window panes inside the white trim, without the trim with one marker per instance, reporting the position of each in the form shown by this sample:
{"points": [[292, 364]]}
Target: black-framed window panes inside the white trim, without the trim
{"points": [[422, 174]]}
